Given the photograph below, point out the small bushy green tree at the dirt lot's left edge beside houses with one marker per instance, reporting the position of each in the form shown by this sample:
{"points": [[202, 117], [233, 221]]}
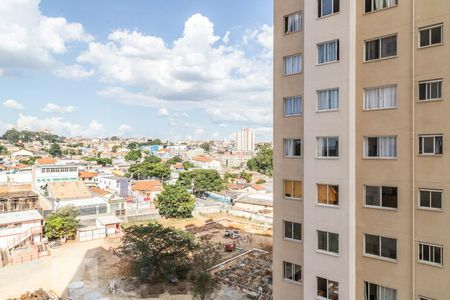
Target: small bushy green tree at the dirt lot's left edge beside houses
{"points": [[62, 223]]}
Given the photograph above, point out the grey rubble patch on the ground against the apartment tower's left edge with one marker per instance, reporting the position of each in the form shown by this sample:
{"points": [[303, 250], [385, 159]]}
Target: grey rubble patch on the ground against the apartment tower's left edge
{"points": [[252, 272]]}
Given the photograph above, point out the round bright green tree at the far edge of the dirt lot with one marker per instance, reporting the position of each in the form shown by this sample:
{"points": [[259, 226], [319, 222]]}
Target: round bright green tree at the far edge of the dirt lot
{"points": [[175, 202]]}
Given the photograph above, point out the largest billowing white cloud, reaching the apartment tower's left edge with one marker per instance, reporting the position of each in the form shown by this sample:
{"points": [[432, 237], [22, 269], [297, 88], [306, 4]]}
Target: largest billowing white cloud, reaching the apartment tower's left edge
{"points": [[199, 71]]}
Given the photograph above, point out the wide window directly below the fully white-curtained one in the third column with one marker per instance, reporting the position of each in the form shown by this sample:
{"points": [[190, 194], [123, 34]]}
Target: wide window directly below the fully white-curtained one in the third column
{"points": [[381, 147]]}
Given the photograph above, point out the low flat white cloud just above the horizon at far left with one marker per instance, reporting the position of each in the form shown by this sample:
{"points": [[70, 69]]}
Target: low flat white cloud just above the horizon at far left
{"points": [[59, 126]]}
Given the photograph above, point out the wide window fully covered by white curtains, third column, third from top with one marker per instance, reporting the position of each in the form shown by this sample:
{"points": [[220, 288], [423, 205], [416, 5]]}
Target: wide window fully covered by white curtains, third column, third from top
{"points": [[380, 98]]}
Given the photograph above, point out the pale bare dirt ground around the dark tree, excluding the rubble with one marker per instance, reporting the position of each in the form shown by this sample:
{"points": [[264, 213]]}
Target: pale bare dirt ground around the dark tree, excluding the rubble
{"points": [[94, 264]]}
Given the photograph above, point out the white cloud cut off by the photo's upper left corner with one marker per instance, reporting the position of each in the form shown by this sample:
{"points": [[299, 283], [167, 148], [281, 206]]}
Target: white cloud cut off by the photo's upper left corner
{"points": [[30, 40]]}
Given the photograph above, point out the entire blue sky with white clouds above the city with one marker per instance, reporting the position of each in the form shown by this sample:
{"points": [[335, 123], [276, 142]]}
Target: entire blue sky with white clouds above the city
{"points": [[175, 69]]}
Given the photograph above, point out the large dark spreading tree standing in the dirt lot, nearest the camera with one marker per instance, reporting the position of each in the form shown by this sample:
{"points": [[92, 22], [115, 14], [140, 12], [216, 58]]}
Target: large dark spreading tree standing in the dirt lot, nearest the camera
{"points": [[156, 252]]}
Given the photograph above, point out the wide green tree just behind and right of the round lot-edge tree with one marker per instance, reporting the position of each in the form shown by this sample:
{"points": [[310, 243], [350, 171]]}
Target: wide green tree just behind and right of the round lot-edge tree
{"points": [[202, 180]]}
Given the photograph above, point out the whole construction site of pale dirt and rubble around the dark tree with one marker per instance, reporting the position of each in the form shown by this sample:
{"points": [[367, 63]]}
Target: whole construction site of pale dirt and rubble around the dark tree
{"points": [[95, 272]]}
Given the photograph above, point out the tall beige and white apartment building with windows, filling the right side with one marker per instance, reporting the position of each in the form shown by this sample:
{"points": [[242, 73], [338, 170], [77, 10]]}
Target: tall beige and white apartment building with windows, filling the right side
{"points": [[361, 151]]}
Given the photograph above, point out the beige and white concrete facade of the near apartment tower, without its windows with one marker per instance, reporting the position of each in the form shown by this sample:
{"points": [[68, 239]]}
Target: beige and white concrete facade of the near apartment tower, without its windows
{"points": [[409, 223]]}
